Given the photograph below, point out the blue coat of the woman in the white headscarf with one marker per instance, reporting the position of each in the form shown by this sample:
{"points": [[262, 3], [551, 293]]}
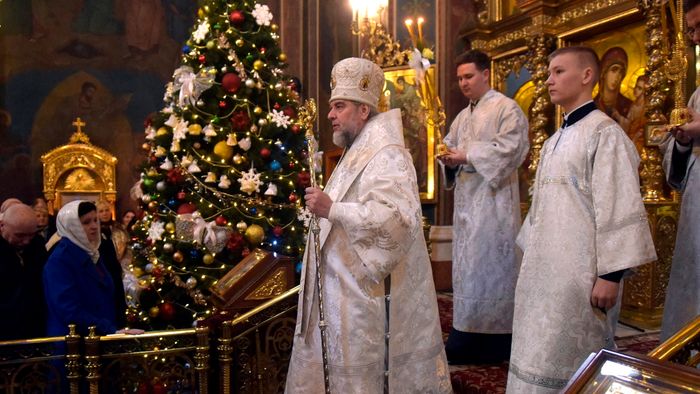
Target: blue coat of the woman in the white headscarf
{"points": [[77, 291]]}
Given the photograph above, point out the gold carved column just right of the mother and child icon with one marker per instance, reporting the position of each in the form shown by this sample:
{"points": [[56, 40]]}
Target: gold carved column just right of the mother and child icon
{"points": [[645, 292]]}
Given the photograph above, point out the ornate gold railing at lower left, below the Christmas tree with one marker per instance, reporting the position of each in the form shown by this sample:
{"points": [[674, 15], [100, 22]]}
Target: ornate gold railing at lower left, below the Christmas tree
{"points": [[248, 354]]}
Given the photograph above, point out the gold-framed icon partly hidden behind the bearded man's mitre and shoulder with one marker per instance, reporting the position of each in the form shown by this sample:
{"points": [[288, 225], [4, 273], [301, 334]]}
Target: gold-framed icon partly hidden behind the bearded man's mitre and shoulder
{"points": [[401, 91]]}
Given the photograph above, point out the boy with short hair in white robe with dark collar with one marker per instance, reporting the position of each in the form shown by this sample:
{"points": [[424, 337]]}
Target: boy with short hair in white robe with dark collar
{"points": [[586, 226]]}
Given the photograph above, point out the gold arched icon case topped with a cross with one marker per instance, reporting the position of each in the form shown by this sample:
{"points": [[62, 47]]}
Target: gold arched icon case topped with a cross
{"points": [[79, 170]]}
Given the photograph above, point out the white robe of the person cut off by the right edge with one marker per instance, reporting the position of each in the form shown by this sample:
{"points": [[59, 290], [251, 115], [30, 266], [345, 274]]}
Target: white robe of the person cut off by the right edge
{"points": [[683, 292]]}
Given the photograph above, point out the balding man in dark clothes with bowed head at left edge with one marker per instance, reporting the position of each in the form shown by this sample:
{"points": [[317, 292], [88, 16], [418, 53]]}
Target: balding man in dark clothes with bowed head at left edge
{"points": [[22, 258]]}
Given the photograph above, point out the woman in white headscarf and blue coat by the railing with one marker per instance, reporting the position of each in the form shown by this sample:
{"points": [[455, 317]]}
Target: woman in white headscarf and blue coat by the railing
{"points": [[77, 285]]}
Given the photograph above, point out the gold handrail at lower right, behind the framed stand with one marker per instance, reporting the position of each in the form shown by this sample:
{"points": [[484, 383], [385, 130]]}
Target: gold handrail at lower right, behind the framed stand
{"points": [[683, 347]]}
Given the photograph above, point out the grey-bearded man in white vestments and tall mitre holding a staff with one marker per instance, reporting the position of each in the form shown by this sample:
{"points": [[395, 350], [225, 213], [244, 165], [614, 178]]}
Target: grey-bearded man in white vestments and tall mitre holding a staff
{"points": [[372, 251]]}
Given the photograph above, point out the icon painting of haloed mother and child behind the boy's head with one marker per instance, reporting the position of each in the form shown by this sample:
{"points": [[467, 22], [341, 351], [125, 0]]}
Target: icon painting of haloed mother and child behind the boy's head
{"points": [[620, 91]]}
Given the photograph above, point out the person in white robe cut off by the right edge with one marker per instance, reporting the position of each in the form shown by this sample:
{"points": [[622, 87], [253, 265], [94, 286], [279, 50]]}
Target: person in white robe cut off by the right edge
{"points": [[683, 173]]}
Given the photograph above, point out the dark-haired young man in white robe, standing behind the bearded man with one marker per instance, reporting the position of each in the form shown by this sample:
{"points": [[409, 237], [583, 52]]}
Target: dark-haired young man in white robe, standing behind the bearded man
{"points": [[487, 143]]}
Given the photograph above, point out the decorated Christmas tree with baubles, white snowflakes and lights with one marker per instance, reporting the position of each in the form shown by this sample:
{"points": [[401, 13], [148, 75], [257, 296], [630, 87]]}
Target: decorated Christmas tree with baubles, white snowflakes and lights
{"points": [[225, 170]]}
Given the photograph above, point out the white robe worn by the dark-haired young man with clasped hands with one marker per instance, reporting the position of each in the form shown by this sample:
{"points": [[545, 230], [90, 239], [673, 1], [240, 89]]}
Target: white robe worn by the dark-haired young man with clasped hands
{"points": [[487, 213]]}
